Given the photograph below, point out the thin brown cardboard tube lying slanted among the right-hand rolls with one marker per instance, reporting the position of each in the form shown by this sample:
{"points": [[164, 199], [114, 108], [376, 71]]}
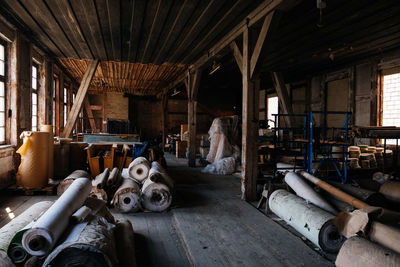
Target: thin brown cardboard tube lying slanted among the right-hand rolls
{"points": [[334, 191]]}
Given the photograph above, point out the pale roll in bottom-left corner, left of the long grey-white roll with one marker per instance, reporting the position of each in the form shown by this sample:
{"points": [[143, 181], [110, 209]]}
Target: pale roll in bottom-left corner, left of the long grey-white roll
{"points": [[11, 234]]}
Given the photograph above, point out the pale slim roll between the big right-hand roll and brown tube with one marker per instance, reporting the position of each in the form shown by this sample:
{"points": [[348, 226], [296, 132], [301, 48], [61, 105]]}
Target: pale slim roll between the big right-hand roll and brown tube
{"points": [[302, 189]]}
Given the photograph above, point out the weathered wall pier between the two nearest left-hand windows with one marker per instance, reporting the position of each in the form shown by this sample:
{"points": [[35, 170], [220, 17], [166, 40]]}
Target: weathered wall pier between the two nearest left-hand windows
{"points": [[19, 84]]}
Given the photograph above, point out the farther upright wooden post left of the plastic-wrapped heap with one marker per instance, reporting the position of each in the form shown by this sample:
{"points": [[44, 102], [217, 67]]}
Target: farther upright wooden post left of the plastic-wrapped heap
{"points": [[192, 85]]}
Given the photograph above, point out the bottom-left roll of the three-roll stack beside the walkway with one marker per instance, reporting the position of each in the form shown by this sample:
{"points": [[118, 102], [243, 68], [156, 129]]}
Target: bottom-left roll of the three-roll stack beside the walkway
{"points": [[127, 197]]}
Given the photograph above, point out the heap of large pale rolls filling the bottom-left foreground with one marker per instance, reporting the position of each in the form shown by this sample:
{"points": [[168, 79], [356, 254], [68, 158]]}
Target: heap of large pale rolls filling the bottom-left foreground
{"points": [[74, 230]]}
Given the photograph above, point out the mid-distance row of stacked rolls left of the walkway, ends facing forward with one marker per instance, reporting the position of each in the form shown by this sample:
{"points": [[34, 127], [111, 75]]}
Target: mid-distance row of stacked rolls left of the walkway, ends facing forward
{"points": [[143, 185]]}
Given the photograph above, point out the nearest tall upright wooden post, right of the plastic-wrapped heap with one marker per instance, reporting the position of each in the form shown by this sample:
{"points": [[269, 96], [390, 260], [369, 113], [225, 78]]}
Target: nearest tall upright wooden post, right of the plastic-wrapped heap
{"points": [[249, 125]]}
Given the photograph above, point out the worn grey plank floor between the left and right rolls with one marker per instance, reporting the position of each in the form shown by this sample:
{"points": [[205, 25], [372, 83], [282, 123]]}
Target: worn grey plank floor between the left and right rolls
{"points": [[208, 225]]}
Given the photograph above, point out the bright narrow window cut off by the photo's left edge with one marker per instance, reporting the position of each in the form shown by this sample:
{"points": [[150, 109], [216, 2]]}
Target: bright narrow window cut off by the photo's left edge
{"points": [[2, 93]]}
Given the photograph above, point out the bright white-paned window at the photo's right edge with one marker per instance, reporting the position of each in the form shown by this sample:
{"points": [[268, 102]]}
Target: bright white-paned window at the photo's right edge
{"points": [[390, 101]]}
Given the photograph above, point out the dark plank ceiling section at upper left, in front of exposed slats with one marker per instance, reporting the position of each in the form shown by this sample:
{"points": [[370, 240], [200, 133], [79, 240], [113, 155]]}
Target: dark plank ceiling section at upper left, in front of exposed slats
{"points": [[139, 31]]}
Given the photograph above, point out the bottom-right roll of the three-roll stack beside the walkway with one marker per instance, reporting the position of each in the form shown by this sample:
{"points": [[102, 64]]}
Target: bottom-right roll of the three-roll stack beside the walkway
{"points": [[156, 196]]}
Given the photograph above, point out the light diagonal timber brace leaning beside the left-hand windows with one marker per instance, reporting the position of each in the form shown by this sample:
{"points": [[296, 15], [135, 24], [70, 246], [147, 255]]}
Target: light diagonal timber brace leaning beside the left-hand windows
{"points": [[83, 88]]}
